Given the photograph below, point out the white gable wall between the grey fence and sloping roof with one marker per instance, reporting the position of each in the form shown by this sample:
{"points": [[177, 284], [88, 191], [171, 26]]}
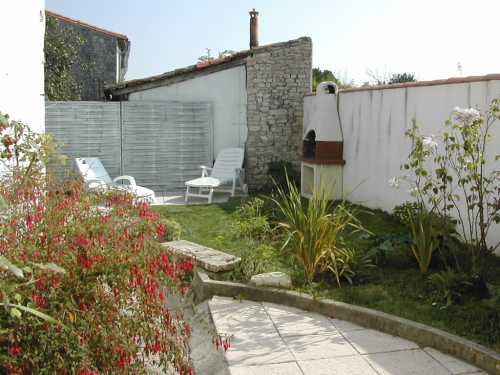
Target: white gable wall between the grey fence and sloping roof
{"points": [[226, 90]]}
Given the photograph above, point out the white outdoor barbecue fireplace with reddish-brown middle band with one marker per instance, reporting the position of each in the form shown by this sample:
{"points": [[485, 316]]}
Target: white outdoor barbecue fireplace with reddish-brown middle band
{"points": [[322, 147]]}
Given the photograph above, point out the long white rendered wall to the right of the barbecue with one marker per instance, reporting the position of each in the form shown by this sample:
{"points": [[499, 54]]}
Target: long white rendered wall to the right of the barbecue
{"points": [[373, 124]]}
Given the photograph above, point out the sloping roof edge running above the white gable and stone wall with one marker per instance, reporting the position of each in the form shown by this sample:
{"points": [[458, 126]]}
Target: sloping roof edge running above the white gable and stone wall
{"points": [[195, 70]]}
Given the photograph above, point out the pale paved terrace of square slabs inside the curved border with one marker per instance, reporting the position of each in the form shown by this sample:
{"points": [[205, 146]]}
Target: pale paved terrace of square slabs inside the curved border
{"points": [[279, 340]]}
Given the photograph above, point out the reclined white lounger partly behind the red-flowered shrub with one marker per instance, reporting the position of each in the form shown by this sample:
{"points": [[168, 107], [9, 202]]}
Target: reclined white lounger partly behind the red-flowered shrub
{"points": [[96, 177]]}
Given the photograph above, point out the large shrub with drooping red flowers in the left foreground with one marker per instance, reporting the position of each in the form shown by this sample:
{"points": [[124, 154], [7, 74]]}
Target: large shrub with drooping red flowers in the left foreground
{"points": [[83, 283]]}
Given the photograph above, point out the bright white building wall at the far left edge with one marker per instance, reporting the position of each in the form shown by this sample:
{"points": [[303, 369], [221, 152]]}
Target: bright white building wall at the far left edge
{"points": [[21, 63]]}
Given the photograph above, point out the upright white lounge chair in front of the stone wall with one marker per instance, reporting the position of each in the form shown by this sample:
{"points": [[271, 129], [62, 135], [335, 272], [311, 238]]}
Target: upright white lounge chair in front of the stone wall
{"points": [[227, 169]]}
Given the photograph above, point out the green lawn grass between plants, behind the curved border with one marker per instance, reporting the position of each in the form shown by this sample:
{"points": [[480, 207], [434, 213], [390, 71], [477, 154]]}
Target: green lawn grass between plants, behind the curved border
{"points": [[396, 289]]}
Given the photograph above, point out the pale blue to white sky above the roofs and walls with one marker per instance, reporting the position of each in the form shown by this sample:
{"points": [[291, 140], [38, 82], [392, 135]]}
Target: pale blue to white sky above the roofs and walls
{"points": [[427, 37]]}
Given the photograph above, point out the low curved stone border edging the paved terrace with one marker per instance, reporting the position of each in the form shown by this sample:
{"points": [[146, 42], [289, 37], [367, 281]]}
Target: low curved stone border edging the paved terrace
{"points": [[425, 336]]}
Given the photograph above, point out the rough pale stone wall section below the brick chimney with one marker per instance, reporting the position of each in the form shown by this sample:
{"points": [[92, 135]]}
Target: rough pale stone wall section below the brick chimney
{"points": [[278, 77]]}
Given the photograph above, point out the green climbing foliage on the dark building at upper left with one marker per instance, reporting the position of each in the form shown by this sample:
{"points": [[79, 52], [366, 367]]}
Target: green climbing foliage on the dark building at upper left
{"points": [[61, 53]]}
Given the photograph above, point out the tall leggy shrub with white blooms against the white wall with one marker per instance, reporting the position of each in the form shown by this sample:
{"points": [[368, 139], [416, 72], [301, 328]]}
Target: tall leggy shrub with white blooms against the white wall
{"points": [[452, 177]]}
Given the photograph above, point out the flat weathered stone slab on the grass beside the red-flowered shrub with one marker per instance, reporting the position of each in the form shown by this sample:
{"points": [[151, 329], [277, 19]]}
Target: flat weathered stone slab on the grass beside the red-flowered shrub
{"points": [[210, 259]]}
